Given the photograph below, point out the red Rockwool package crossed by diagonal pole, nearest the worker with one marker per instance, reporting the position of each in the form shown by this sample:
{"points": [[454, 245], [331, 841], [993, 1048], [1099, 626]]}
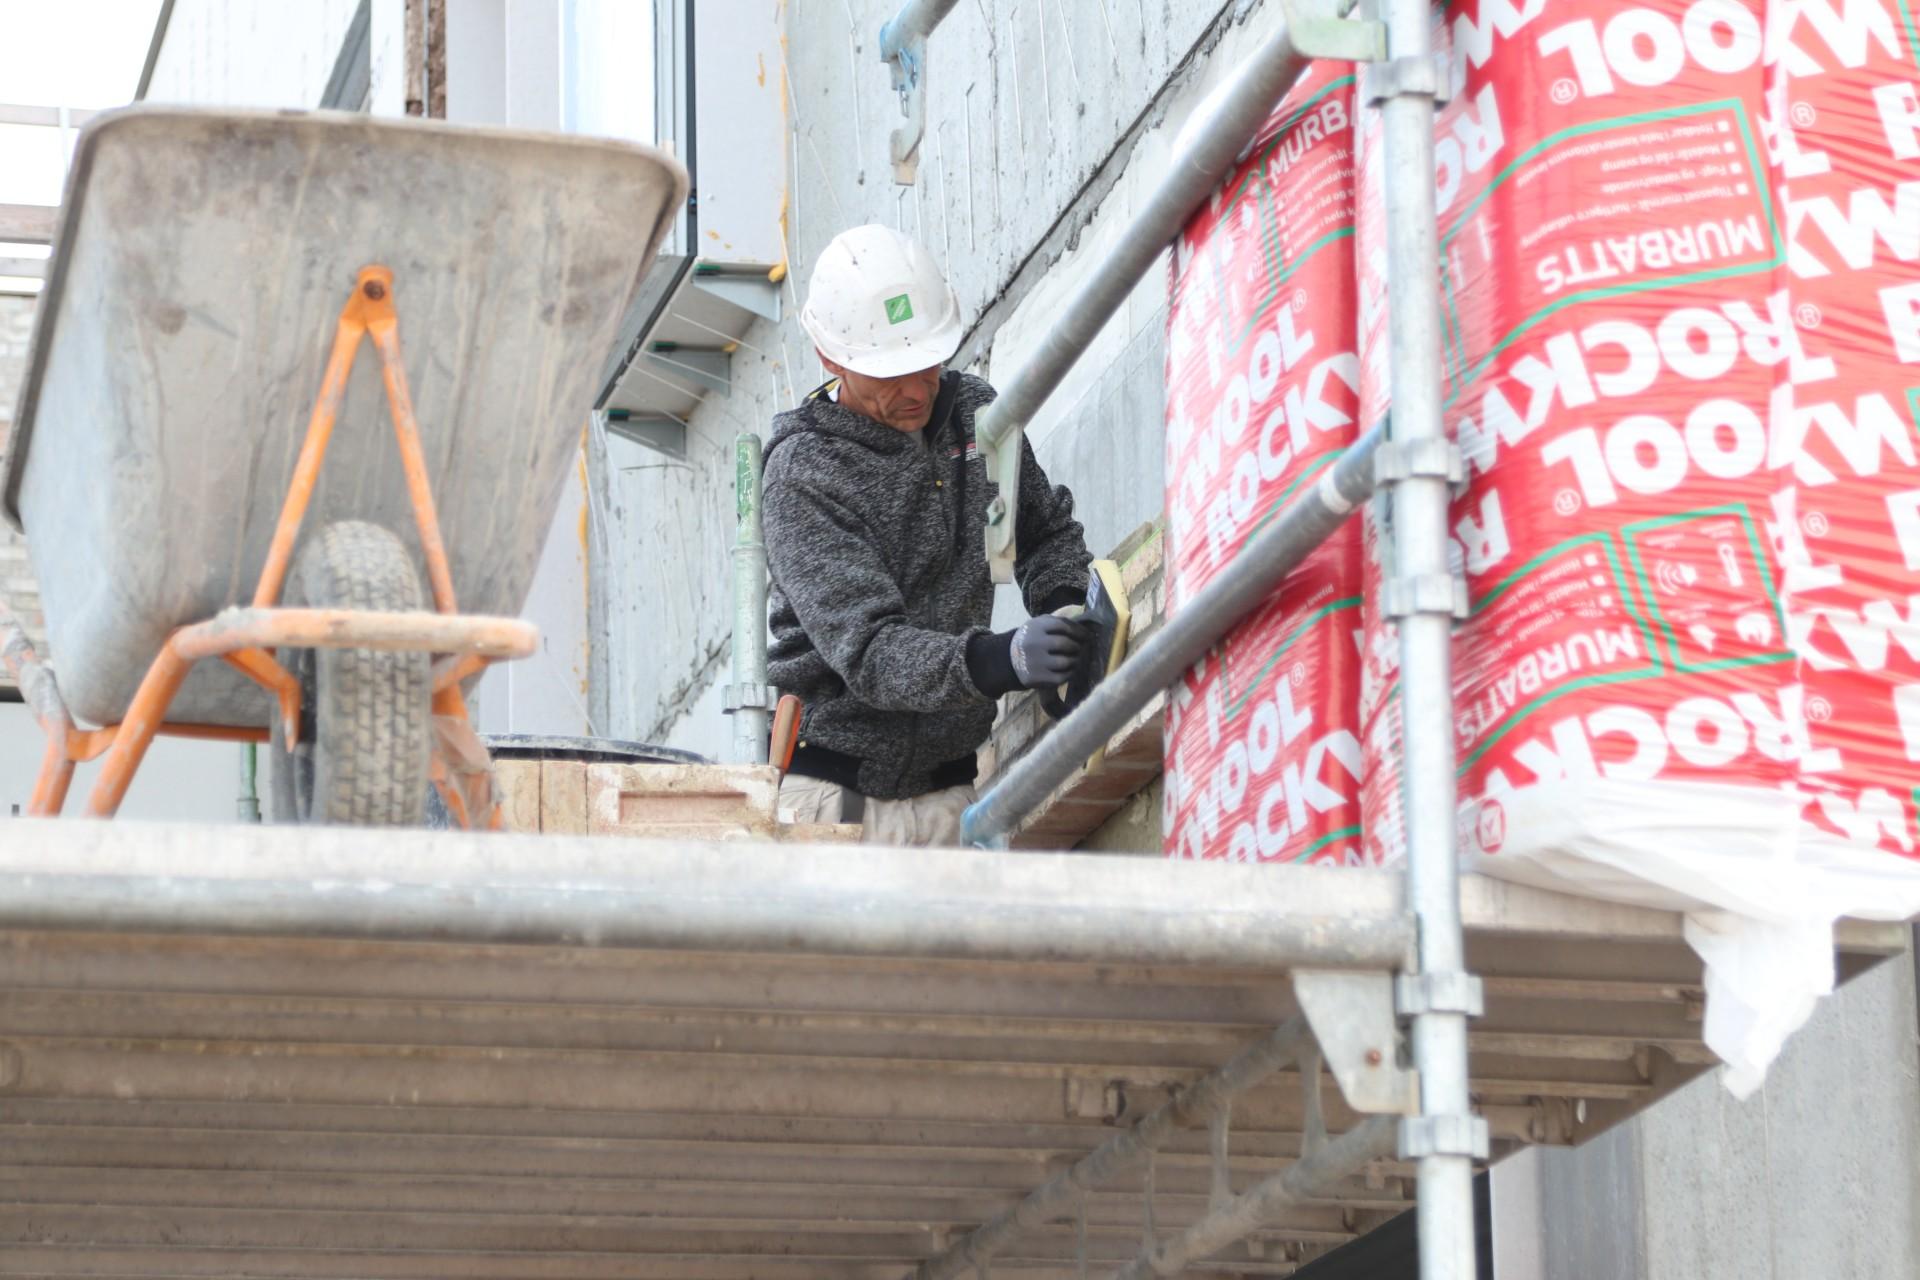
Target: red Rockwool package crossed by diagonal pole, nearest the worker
{"points": [[1264, 755]]}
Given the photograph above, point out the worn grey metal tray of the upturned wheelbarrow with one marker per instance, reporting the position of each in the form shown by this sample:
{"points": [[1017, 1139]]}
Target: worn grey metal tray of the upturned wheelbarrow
{"points": [[201, 266]]}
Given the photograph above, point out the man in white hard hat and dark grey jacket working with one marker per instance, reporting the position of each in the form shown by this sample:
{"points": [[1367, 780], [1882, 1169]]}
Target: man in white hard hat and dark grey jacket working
{"points": [[876, 510]]}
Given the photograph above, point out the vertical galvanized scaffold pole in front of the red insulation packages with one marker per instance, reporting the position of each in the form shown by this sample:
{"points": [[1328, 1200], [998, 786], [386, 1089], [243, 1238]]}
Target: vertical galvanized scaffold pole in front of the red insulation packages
{"points": [[1422, 598]]}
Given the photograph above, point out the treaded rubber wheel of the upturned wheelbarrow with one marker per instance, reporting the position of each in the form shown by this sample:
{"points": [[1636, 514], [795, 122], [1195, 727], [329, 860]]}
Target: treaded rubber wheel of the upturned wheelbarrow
{"points": [[366, 726]]}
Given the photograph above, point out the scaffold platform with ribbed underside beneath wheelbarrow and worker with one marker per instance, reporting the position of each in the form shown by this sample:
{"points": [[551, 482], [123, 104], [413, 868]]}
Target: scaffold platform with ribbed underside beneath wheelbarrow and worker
{"points": [[212, 1079]]}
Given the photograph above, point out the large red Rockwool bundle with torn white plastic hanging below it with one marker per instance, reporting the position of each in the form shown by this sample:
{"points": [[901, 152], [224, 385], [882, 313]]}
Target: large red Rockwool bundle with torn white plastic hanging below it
{"points": [[1683, 366]]}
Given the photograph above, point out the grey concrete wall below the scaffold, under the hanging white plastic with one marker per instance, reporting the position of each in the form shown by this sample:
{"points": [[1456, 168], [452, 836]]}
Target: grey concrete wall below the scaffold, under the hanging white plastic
{"points": [[1817, 1177]]}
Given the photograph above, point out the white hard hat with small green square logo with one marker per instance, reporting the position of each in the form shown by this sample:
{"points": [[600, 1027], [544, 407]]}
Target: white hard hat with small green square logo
{"points": [[880, 306]]}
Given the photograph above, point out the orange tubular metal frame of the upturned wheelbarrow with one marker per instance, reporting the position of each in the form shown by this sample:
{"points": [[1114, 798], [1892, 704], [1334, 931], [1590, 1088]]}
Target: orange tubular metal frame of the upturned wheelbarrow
{"points": [[245, 638]]}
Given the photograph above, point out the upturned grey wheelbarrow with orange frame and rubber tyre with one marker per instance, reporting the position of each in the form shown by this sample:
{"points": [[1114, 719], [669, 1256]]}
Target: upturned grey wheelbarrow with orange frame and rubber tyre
{"points": [[206, 471]]}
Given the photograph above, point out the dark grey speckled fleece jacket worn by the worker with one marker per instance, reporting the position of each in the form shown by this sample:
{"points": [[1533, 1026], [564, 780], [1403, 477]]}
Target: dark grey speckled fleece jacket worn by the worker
{"points": [[880, 586]]}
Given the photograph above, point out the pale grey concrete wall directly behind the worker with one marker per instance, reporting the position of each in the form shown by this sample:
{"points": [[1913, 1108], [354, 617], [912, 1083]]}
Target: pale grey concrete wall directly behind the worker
{"points": [[1047, 126]]}
